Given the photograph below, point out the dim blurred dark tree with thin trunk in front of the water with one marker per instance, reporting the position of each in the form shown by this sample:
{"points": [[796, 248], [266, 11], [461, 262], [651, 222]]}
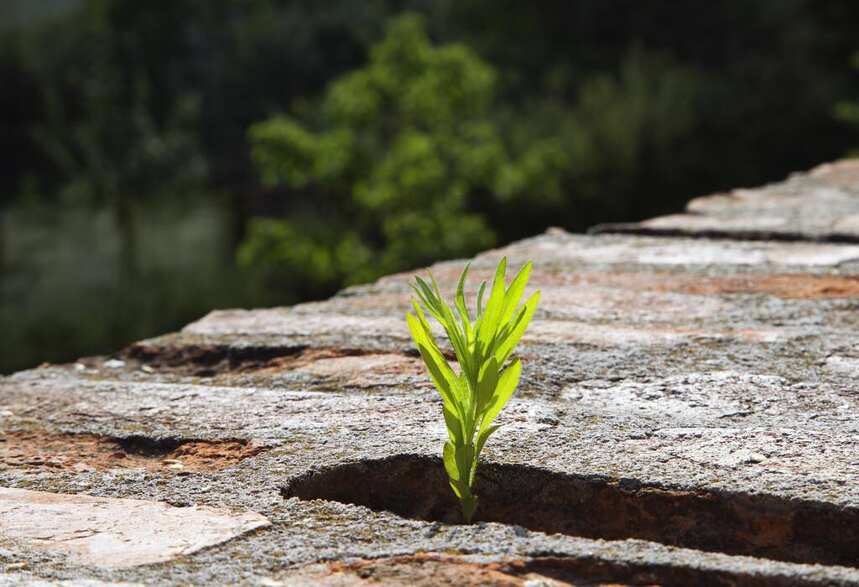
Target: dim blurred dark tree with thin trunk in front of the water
{"points": [[108, 126]]}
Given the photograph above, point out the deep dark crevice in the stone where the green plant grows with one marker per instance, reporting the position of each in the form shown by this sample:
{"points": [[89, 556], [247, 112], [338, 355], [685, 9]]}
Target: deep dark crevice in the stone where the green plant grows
{"points": [[765, 526]]}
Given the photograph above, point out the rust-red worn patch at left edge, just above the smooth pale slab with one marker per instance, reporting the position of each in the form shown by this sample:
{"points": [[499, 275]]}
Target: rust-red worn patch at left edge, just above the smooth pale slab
{"points": [[83, 452]]}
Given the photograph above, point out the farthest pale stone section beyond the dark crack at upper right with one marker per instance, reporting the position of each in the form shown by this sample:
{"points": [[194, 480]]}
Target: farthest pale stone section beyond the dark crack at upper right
{"points": [[822, 205]]}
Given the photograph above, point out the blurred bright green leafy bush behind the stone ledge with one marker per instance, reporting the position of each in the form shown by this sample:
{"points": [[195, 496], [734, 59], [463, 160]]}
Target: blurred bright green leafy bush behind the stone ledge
{"points": [[396, 151]]}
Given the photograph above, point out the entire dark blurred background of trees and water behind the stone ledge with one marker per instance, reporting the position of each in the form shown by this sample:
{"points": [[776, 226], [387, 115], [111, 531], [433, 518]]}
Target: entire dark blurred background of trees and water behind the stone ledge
{"points": [[166, 157]]}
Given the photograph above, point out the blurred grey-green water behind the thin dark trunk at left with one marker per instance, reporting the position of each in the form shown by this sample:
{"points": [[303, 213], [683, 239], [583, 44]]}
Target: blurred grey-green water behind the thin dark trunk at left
{"points": [[65, 290]]}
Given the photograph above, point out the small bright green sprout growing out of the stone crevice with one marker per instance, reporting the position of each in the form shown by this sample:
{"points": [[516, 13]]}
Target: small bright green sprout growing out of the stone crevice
{"points": [[474, 394]]}
